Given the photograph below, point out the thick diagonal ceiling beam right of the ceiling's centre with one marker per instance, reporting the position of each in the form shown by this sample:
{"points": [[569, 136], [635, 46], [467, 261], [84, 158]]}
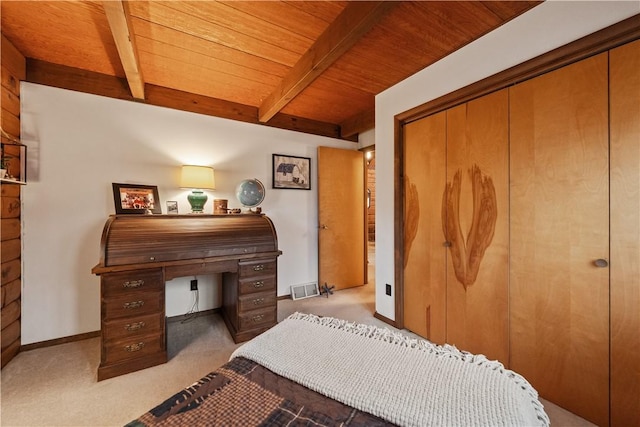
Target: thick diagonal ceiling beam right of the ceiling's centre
{"points": [[354, 22]]}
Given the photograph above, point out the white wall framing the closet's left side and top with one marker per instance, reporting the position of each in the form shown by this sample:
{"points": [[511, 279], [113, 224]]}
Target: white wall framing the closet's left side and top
{"points": [[544, 28]]}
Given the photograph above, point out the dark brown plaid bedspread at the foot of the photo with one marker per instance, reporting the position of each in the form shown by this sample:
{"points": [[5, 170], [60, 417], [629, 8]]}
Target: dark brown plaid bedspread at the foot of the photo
{"points": [[244, 393]]}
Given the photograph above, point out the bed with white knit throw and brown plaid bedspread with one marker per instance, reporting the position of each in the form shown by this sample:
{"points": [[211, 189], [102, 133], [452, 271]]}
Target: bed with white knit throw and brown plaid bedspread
{"points": [[311, 370]]}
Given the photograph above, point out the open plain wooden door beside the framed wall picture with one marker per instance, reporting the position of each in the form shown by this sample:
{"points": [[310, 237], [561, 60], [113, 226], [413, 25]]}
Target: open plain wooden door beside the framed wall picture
{"points": [[341, 218]]}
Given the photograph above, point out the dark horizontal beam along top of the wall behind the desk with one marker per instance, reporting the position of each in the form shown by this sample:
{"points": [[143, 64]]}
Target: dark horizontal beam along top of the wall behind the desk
{"points": [[64, 77]]}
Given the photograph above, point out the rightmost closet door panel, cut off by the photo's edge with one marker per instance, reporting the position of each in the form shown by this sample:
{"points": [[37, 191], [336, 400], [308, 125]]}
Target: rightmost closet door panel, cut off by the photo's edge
{"points": [[625, 234]]}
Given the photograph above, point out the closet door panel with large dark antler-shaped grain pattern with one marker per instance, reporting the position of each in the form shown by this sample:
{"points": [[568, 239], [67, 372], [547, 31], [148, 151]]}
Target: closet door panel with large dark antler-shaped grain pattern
{"points": [[478, 220]]}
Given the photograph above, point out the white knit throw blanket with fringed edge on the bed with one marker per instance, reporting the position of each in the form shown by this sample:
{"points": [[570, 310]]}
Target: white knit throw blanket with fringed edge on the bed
{"points": [[400, 379]]}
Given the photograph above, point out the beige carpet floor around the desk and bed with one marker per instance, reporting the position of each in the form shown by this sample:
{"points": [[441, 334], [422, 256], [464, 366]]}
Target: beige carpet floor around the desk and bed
{"points": [[56, 386]]}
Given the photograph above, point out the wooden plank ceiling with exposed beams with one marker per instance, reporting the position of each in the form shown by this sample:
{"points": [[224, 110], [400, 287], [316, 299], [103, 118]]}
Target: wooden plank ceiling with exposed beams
{"points": [[311, 66]]}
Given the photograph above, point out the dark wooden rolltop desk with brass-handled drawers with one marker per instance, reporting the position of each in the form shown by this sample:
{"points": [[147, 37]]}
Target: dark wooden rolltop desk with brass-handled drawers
{"points": [[139, 253]]}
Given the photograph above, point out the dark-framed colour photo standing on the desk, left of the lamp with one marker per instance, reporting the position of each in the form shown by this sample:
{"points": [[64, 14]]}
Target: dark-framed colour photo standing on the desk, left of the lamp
{"points": [[136, 199]]}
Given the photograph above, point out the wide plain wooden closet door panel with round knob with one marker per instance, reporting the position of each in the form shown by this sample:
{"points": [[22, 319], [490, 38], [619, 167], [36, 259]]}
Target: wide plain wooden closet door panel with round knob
{"points": [[559, 228]]}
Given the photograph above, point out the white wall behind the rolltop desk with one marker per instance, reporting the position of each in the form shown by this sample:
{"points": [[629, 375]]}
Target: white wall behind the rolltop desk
{"points": [[78, 144]]}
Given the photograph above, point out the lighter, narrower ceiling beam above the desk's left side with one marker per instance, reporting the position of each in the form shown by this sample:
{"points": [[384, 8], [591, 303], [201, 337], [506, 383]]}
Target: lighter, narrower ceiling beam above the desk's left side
{"points": [[118, 15]]}
